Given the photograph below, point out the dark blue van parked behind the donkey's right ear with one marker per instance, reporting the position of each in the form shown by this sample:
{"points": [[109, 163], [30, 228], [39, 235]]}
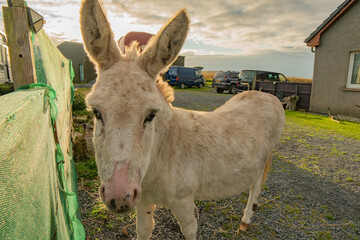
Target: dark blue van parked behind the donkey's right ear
{"points": [[184, 76]]}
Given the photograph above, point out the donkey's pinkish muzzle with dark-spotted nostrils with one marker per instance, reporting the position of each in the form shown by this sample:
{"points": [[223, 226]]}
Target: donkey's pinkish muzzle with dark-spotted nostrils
{"points": [[118, 194]]}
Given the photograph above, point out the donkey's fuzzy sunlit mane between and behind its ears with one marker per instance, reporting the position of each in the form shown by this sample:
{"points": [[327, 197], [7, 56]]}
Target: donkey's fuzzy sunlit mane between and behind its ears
{"points": [[133, 52]]}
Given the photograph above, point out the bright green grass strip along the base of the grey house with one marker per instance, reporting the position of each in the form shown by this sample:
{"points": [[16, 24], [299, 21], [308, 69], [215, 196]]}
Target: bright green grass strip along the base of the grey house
{"points": [[343, 128]]}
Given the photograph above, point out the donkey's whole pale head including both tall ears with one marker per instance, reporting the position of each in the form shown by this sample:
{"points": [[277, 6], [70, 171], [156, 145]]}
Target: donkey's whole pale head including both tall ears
{"points": [[126, 101]]}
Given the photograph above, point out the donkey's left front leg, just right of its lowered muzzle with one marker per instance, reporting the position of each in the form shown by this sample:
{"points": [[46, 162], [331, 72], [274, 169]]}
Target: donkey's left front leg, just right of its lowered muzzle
{"points": [[144, 219]]}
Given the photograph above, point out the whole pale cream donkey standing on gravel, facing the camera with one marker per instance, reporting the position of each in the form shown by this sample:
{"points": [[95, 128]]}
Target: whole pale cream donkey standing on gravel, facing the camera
{"points": [[150, 153]]}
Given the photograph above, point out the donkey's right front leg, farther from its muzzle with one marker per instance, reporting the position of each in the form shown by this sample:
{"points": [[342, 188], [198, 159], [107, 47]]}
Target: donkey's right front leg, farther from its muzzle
{"points": [[184, 213]]}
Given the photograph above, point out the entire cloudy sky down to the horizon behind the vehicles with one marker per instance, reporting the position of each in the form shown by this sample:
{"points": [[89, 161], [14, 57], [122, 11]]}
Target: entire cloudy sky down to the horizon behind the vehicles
{"points": [[224, 34]]}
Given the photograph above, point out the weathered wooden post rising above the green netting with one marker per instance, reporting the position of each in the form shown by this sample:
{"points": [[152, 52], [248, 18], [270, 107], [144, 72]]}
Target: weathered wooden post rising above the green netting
{"points": [[19, 42]]}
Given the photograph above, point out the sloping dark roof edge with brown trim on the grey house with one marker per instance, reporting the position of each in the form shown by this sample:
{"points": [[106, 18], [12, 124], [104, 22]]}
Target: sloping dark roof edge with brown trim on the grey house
{"points": [[314, 39]]}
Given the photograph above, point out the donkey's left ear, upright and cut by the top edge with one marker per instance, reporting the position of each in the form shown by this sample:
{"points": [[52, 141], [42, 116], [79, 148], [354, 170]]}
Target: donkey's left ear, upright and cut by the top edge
{"points": [[97, 34]]}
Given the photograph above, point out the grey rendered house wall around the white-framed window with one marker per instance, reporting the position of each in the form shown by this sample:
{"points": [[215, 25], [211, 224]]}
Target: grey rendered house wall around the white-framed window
{"points": [[332, 64]]}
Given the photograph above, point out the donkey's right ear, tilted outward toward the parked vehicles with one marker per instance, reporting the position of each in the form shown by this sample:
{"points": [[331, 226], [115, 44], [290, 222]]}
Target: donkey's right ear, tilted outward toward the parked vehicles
{"points": [[164, 47]]}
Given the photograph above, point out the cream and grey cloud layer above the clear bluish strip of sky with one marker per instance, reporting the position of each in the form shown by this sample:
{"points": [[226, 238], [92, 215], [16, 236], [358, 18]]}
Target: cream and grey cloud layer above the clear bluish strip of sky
{"points": [[241, 25]]}
